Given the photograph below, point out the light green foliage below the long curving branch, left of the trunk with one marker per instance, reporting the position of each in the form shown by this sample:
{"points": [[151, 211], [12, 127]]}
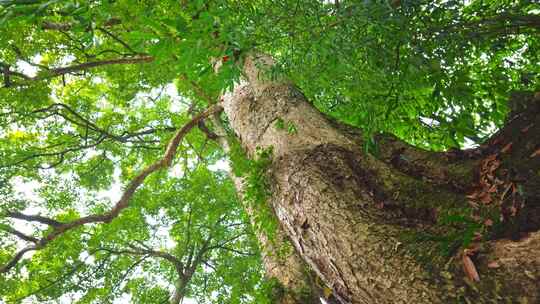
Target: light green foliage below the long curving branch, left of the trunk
{"points": [[177, 216]]}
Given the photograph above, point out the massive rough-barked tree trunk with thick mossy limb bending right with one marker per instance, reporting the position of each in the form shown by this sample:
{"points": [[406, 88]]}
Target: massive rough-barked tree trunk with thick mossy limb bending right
{"points": [[374, 227]]}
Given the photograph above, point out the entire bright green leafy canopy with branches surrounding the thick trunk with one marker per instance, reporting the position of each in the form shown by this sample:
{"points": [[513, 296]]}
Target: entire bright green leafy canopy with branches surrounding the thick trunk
{"points": [[114, 186]]}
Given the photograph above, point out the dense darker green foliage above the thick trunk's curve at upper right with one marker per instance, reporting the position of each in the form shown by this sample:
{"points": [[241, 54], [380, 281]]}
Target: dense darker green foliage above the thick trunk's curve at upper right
{"points": [[435, 73]]}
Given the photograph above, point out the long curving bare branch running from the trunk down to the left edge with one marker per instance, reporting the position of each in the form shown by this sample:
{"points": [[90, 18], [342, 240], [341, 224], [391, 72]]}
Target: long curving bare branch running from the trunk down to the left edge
{"points": [[123, 202]]}
